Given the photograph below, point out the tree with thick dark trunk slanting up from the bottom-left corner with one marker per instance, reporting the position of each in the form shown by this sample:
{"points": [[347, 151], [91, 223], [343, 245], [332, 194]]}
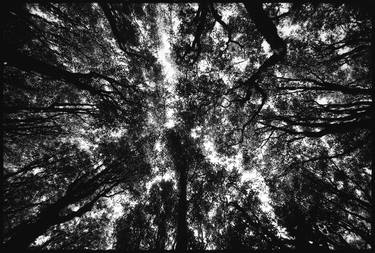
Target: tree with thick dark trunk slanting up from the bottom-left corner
{"points": [[83, 188]]}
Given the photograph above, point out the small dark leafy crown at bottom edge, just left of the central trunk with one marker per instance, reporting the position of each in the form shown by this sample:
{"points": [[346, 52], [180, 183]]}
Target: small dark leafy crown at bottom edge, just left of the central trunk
{"points": [[135, 229]]}
